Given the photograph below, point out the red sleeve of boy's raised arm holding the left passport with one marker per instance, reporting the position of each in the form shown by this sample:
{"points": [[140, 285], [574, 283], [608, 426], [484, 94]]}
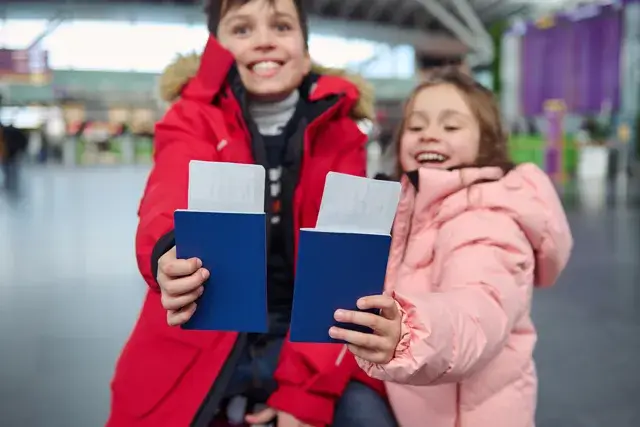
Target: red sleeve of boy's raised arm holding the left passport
{"points": [[179, 138]]}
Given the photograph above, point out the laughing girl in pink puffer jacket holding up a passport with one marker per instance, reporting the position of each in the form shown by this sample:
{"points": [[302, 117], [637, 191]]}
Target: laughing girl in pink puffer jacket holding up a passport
{"points": [[472, 237]]}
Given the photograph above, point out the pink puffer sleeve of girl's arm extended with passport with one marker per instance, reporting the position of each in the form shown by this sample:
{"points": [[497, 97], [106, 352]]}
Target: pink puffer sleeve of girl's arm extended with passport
{"points": [[486, 282]]}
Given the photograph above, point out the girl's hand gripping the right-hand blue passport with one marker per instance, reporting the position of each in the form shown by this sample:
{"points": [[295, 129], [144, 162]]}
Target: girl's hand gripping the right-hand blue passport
{"points": [[380, 346]]}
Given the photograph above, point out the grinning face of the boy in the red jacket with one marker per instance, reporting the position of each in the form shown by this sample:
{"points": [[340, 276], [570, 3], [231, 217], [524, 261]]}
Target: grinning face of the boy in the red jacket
{"points": [[268, 44]]}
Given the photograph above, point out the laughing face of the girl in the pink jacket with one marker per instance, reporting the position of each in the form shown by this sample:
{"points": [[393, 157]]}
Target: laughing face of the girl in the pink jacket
{"points": [[440, 130]]}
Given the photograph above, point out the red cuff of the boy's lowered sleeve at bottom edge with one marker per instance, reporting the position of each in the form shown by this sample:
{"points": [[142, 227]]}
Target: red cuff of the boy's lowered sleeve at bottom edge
{"points": [[313, 409]]}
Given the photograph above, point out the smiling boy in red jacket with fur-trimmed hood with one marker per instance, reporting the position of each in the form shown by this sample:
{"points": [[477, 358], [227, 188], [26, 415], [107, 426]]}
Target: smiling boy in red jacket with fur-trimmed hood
{"points": [[252, 97]]}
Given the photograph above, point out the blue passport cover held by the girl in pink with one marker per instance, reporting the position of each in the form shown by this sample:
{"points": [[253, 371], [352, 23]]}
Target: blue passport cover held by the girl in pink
{"points": [[333, 271]]}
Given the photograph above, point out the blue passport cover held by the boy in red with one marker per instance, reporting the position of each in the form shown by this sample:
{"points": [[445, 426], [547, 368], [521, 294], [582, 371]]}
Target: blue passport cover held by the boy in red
{"points": [[232, 246]]}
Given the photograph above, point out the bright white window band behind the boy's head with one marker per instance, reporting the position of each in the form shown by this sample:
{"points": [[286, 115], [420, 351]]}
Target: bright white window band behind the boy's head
{"points": [[150, 47]]}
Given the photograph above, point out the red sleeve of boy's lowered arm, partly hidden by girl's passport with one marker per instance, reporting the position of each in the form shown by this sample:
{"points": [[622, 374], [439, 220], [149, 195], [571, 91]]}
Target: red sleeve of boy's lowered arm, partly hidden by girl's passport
{"points": [[311, 377]]}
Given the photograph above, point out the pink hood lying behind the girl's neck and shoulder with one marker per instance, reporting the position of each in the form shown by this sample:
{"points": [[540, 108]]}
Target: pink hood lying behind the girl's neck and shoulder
{"points": [[525, 193]]}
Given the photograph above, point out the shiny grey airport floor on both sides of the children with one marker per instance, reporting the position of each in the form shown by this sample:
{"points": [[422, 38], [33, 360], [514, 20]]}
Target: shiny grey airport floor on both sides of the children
{"points": [[69, 294]]}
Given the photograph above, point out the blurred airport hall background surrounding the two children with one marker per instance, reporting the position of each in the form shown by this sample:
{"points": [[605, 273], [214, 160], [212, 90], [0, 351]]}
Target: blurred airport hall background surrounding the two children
{"points": [[79, 100]]}
